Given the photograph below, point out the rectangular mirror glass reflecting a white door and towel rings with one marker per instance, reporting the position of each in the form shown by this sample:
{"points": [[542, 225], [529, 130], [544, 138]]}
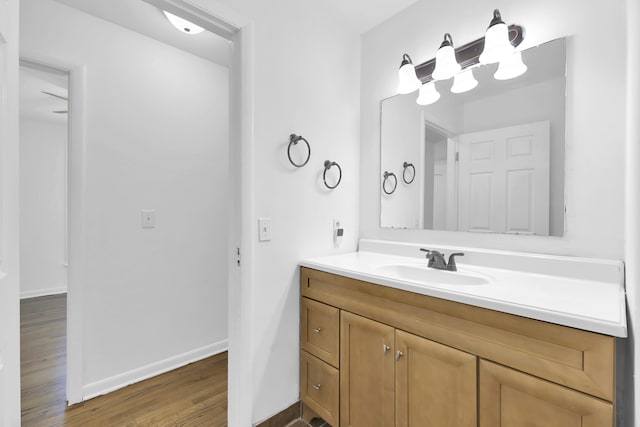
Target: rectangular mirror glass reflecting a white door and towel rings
{"points": [[490, 160]]}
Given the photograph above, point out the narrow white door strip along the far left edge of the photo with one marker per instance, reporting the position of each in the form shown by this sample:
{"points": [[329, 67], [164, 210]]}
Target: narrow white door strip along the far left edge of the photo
{"points": [[9, 218]]}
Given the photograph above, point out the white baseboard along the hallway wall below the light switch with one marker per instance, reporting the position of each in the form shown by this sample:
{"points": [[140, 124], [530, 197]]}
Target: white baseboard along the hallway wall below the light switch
{"points": [[133, 376]]}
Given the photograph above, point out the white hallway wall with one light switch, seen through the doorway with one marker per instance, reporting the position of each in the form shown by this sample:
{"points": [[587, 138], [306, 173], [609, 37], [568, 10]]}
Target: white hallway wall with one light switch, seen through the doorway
{"points": [[155, 138]]}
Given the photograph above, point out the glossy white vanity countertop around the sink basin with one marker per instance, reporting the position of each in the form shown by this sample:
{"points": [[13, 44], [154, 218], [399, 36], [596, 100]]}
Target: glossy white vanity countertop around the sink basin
{"points": [[592, 305]]}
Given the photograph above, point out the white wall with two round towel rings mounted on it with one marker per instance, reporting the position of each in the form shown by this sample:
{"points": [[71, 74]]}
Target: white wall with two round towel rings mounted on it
{"points": [[306, 81]]}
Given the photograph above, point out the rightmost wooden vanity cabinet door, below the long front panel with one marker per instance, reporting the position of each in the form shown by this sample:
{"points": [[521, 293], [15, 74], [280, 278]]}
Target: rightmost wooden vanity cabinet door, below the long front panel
{"points": [[512, 398]]}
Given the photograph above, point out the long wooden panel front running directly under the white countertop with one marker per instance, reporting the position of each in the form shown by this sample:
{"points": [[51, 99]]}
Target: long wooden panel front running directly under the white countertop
{"points": [[571, 357]]}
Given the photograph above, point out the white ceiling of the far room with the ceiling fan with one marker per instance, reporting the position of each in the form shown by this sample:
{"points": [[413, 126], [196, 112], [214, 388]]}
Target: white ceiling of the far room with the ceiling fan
{"points": [[36, 105]]}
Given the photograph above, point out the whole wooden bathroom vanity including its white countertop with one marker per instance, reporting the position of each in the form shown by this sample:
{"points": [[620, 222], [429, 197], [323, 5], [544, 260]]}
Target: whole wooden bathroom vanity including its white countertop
{"points": [[383, 347]]}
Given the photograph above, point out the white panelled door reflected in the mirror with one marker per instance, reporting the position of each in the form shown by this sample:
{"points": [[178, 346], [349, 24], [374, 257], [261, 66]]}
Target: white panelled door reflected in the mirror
{"points": [[504, 180]]}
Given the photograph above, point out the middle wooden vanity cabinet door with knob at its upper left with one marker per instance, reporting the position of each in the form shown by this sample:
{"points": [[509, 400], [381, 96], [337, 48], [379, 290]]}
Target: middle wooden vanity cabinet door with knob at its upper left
{"points": [[435, 384]]}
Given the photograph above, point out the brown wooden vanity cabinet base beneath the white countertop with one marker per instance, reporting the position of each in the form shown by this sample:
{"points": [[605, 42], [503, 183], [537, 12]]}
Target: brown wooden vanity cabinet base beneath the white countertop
{"points": [[410, 360]]}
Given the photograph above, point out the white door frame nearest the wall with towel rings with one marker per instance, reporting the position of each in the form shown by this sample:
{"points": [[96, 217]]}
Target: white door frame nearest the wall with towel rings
{"points": [[222, 20]]}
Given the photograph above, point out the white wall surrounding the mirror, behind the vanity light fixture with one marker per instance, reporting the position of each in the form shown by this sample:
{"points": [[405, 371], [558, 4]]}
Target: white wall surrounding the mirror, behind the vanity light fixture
{"points": [[595, 120]]}
